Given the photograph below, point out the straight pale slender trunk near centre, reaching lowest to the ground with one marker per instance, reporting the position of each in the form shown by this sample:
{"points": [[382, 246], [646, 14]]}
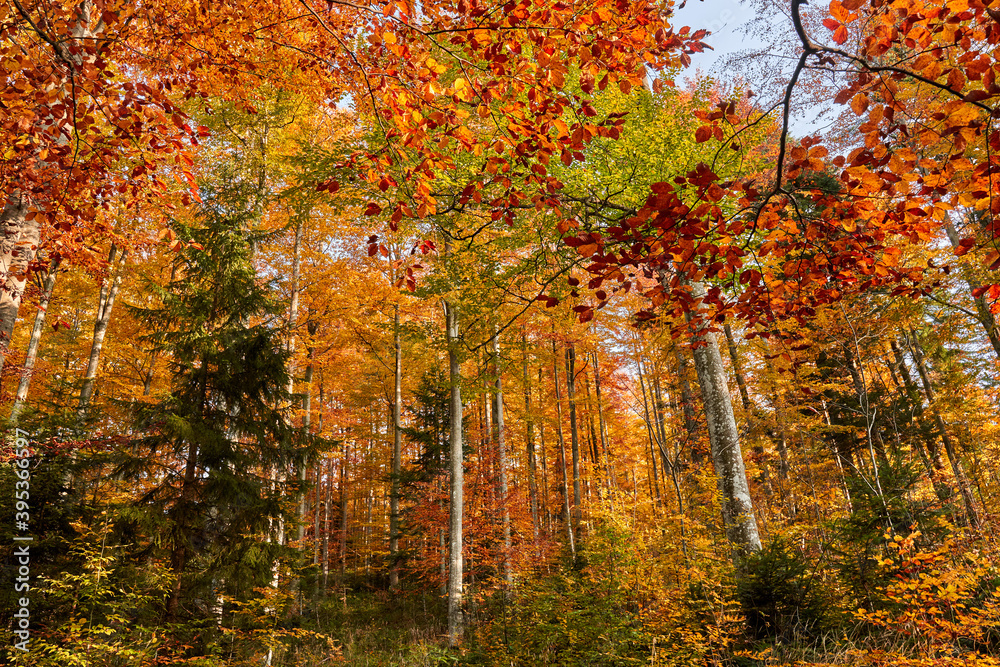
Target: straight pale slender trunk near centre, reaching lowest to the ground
{"points": [[456, 625]]}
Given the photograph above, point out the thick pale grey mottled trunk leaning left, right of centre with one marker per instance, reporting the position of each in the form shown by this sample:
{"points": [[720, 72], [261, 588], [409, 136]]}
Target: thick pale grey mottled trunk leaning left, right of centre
{"points": [[737, 508]]}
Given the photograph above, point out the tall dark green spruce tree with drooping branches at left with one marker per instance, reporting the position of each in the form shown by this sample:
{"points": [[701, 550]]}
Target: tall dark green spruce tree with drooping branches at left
{"points": [[211, 449]]}
